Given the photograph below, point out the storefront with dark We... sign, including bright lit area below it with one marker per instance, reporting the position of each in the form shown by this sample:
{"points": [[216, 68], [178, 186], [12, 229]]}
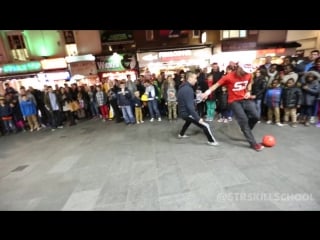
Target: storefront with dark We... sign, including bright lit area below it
{"points": [[117, 66]]}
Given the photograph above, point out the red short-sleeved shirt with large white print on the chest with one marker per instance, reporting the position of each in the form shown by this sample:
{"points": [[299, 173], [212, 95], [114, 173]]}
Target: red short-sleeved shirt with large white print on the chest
{"points": [[237, 86]]}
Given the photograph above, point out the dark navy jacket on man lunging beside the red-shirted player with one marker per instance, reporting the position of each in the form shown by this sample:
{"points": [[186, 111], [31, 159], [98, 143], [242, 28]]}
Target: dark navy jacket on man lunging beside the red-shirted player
{"points": [[186, 102]]}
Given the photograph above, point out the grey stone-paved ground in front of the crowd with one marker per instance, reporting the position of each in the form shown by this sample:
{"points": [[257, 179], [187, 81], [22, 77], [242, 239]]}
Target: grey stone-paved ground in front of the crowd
{"points": [[109, 166]]}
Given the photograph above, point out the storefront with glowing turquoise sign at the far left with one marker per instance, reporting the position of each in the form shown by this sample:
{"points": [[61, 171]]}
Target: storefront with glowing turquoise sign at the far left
{"points": [[19, 74]]}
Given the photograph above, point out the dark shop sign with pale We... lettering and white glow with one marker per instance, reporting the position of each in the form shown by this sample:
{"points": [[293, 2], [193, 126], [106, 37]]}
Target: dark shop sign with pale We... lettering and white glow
{"points": [[116, 62]]}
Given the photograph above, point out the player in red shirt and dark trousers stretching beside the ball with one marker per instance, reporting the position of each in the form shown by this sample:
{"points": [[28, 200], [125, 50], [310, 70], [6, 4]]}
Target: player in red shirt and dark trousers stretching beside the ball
{"points": [[239, 84]]}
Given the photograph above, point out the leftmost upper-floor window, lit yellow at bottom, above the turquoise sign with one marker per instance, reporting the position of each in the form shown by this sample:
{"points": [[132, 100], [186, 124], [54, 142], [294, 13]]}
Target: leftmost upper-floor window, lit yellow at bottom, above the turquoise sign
{"points": [[17, 47]]}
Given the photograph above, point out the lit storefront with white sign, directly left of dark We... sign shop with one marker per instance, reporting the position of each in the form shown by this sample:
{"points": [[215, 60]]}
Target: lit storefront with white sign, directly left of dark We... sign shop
{"points": [[83, 69]]}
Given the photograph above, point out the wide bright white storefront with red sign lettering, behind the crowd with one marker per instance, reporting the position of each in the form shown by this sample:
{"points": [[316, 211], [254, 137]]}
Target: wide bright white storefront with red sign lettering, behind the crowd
{"points": [[173, 61]]}
